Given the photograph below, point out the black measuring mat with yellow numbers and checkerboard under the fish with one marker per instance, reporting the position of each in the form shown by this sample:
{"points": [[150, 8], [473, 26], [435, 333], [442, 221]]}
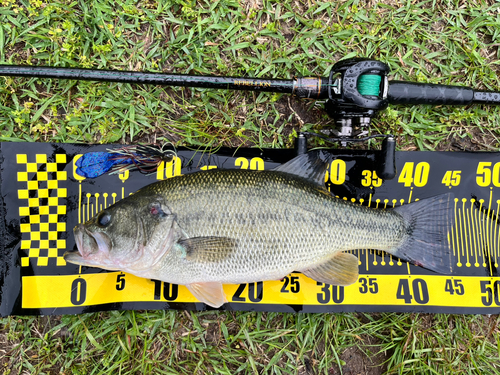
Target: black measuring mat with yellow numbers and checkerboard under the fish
{"points": [[42, 198]]}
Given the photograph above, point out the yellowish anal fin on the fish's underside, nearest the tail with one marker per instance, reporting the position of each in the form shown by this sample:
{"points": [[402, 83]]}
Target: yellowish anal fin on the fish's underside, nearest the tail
{"points": [[341, 269]]}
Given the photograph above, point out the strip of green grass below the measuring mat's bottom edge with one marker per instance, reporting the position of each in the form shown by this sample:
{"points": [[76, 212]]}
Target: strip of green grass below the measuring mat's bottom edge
{"points": [[172, 342]]}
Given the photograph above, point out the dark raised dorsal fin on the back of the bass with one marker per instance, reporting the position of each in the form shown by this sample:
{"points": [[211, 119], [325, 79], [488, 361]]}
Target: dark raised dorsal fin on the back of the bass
{"points": [[311, 166]]}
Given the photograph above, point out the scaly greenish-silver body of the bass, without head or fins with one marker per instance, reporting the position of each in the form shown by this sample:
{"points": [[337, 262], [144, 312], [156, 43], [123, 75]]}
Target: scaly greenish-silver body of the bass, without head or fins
{"points": [[281, 224]]}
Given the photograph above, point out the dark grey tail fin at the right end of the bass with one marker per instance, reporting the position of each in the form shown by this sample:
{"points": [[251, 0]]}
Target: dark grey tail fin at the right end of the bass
{"points": [[429, 222]]}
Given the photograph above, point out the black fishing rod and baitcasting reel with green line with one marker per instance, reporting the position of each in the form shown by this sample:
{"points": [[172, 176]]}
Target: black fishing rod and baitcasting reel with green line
{"points": [[354, 92]]}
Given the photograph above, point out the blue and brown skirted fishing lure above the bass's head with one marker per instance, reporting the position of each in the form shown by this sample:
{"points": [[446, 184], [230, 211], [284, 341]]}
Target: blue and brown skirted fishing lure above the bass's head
{"points": [[145, 158]]}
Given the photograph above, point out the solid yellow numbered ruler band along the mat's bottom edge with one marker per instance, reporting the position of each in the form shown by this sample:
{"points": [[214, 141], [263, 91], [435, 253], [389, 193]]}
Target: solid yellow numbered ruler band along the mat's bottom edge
{"points": [[369, 290]]}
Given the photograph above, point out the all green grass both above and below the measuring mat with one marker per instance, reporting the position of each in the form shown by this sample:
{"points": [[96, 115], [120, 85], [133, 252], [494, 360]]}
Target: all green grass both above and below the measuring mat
{"points": [[450, 42]]}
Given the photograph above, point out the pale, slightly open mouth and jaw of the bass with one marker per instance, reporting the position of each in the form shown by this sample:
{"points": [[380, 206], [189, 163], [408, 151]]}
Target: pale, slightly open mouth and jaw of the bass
{"points": [[92, 248]]}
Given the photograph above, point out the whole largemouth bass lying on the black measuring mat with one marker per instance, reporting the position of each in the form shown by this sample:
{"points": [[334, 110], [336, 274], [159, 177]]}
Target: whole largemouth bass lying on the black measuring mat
{"points": [[214, 227]]}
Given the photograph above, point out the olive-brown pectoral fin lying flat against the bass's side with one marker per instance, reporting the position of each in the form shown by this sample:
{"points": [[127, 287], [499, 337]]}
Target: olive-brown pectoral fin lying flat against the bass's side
{"points": [[207, 249]]}
